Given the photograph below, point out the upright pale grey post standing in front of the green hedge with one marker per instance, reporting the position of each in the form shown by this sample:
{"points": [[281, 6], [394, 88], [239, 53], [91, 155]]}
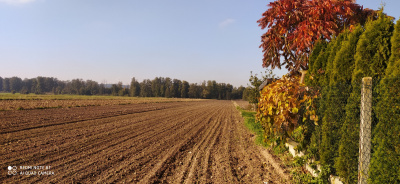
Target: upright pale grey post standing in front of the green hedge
{"points": [[365, 130]]}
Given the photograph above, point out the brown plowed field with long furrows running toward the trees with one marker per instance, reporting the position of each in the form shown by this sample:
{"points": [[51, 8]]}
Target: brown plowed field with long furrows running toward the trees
{"points": [[176, 142]]}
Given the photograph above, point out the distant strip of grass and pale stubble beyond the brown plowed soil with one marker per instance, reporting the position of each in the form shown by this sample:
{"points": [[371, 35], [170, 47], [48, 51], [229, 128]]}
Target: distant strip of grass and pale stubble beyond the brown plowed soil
{"points": [[18, 101]]}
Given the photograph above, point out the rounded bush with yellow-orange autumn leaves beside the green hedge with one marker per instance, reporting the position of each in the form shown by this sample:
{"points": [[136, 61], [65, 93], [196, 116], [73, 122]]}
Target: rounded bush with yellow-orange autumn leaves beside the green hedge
{"points": [[279, 108]]}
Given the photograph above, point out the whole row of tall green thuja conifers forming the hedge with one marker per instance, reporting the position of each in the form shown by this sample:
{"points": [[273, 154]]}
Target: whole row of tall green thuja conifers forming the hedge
{"points": [[337, 68]]}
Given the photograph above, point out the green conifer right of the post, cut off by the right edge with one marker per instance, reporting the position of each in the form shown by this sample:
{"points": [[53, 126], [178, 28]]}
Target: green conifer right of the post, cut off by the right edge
{"points": [[385, 161]]}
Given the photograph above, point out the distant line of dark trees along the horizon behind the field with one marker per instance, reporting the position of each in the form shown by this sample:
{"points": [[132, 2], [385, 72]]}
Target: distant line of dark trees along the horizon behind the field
{"points": [[158, 87]]}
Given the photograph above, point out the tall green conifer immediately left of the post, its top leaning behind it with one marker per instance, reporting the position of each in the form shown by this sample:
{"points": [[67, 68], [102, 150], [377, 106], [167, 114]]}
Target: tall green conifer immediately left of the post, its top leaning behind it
{"points": [[372, 55]]}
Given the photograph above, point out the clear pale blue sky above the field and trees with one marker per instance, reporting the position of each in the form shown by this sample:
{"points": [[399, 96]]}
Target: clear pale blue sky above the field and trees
{"points": [[109, 41]]}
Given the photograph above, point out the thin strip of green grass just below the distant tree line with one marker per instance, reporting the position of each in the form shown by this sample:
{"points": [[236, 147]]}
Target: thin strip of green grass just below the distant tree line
{"points": [[32, 96]]}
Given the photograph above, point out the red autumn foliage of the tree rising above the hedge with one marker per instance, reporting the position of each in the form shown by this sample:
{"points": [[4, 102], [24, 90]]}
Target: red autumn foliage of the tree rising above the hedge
{"points": [[295, 25]]}
